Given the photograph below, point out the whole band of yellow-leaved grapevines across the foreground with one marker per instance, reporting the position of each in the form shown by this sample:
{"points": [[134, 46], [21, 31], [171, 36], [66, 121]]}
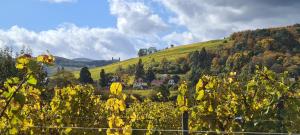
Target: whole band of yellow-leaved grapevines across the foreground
{"points": [[265, 103]]}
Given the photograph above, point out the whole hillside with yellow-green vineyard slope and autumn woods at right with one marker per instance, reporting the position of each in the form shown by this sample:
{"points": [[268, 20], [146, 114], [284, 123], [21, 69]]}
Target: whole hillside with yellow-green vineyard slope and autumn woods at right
{"points": [[276, 48]]}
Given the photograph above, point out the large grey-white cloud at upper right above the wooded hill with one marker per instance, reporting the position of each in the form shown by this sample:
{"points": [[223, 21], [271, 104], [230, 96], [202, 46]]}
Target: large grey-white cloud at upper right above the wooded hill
{"points": [[211, 19]]}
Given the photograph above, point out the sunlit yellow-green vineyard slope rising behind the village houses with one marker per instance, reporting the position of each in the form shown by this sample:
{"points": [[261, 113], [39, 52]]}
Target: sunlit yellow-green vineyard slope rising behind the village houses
{"points": [[170, 54]]}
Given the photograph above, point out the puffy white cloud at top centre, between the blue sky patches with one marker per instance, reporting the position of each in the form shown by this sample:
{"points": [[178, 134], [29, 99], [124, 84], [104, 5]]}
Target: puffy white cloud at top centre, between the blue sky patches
{"points": [[136, 18]]}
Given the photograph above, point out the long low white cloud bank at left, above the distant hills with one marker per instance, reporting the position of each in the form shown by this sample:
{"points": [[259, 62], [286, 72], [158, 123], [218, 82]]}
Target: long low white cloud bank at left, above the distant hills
{"points": [[72, 42]]}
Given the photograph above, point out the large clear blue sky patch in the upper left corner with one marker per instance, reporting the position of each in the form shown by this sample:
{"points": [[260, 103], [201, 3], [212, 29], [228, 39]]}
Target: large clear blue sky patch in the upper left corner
{"points": [[41, 15]]}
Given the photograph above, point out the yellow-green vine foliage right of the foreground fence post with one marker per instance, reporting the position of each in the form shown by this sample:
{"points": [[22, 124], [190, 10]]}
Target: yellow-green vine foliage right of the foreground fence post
{"points": [[262, 104]]}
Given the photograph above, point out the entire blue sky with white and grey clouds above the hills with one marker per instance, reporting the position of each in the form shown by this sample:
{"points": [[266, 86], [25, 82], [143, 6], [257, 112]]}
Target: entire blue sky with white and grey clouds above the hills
{"points": [[101, 29]]}
